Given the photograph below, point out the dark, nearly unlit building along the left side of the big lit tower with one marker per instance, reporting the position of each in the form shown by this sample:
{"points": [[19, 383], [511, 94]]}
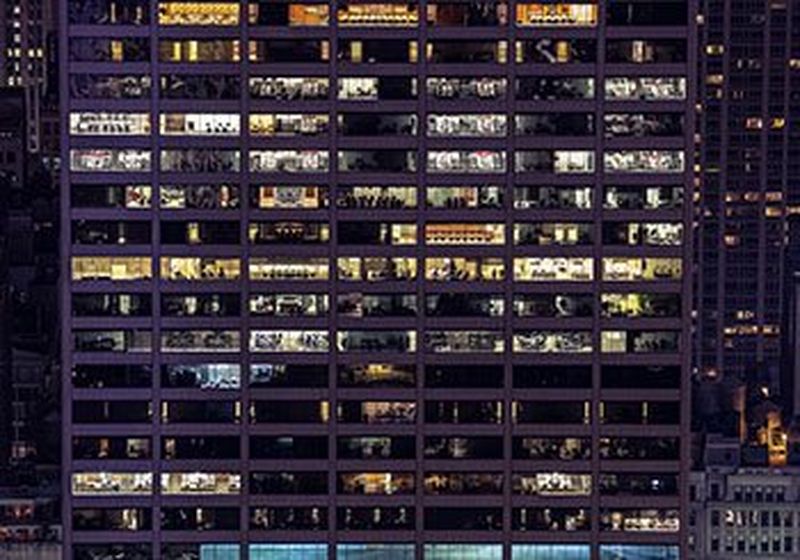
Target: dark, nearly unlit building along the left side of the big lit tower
{"points": [[28, 294]]}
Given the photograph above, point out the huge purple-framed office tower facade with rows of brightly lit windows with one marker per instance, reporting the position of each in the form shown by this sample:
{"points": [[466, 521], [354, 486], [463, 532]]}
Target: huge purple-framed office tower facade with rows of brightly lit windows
{"points": [[359, 280]]}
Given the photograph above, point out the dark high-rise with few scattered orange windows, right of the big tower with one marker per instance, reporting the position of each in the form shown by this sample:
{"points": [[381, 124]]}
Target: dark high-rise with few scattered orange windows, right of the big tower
{"points": [[749, 158]]}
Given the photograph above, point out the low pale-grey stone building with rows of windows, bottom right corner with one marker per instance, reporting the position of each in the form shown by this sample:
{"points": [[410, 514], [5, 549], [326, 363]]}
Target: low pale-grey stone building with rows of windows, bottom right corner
{"points": [[743, 512]]}
